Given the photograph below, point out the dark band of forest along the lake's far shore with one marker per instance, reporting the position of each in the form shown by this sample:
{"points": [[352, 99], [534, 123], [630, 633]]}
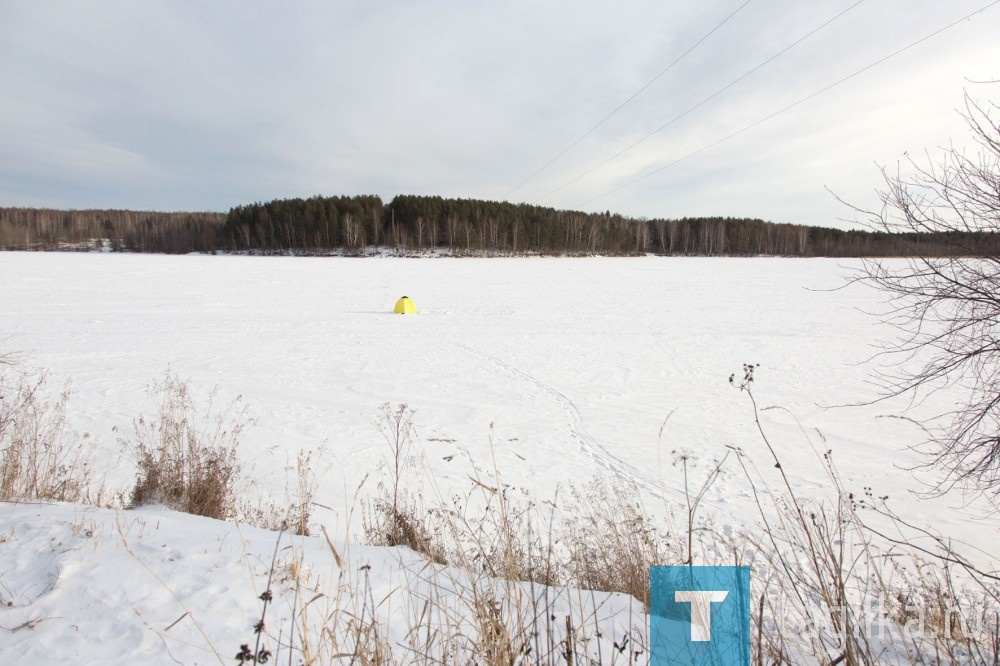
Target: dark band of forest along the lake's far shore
{"points": [[358, 225]]}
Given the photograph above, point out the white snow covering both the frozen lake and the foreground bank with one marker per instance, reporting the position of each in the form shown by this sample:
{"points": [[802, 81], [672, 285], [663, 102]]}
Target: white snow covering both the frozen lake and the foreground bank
{"points": [[544, 372]]}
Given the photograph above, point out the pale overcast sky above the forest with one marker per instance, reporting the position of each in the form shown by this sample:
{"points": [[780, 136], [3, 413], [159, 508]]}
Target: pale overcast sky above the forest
{"points": [[183, 105]]}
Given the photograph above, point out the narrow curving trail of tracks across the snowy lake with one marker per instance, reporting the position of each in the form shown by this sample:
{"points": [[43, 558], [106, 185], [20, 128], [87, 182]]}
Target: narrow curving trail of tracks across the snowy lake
{"points": [[588, 444]]}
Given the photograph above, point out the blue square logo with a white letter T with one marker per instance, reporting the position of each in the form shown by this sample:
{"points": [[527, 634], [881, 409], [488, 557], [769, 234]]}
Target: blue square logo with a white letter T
{"points": [[699, 616]]}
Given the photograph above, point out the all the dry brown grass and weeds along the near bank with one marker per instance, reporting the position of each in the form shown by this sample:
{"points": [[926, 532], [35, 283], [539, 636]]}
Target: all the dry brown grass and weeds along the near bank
{"points": [[511, 561]]}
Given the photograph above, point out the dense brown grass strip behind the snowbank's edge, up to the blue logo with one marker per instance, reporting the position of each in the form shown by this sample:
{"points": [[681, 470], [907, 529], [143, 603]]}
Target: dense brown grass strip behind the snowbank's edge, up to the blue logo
{"points": [[601, 538]]}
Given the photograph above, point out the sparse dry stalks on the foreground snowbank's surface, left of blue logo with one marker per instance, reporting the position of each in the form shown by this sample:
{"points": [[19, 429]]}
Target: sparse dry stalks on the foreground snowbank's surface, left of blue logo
{"points": [[443, 615]]}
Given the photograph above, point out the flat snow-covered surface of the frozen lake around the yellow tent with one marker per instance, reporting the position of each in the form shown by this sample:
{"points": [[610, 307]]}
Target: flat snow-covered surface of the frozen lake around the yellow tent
{"points": [[548, 370]]}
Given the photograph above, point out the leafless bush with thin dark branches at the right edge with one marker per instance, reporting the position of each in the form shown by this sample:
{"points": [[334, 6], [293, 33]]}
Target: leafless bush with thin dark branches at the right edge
{"points": [[945, 300]]}
